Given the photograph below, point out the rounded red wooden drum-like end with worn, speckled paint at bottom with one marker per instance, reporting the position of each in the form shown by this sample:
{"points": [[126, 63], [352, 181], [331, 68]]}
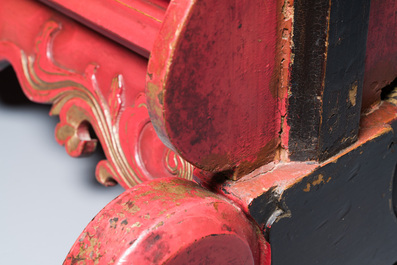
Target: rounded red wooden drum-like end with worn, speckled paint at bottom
{"points": [[170, 221]]}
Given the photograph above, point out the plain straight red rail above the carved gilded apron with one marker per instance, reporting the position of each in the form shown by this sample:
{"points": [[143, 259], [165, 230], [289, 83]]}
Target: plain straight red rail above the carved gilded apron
{"points": [[133, 23]]}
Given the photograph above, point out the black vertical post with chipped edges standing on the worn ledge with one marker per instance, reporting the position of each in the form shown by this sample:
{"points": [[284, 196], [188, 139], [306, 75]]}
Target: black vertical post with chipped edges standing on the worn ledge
{"points": [[326, 76]]}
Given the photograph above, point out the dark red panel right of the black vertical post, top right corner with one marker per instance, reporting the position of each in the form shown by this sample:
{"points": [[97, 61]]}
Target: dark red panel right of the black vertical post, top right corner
{"points": [[381, 55]]}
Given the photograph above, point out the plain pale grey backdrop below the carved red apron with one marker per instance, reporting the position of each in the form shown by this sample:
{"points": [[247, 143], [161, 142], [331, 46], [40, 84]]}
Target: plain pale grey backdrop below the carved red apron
{"points": [[46, 197]]}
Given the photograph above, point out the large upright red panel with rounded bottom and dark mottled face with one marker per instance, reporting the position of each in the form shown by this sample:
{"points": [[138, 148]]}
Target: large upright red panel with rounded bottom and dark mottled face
{"points": [[212, 83]]}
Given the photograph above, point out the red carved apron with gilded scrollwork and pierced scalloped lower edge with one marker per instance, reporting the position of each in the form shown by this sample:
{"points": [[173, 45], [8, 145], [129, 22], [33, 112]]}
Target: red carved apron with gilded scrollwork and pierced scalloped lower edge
{"points": [[90, 80]]}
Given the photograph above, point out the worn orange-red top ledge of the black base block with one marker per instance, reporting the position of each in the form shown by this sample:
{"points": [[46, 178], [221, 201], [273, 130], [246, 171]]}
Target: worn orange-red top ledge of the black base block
{"points": [[281, 175]]}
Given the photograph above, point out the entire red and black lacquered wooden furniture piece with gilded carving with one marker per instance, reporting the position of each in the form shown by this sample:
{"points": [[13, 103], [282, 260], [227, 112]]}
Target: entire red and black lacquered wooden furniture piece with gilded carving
{"points": [[244, 132]]}
